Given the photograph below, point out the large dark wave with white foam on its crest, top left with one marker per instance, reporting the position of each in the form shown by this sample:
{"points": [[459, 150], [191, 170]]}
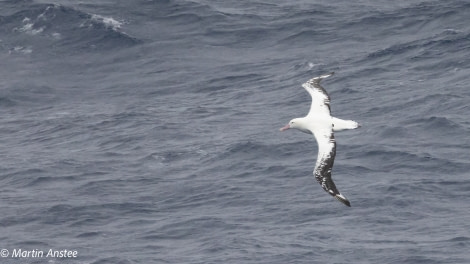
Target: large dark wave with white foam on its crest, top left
{"points": [[49, 27]]}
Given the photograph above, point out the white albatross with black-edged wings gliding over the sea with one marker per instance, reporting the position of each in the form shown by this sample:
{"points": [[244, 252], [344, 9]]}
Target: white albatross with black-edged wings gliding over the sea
{"points": [[322, 125]]}
